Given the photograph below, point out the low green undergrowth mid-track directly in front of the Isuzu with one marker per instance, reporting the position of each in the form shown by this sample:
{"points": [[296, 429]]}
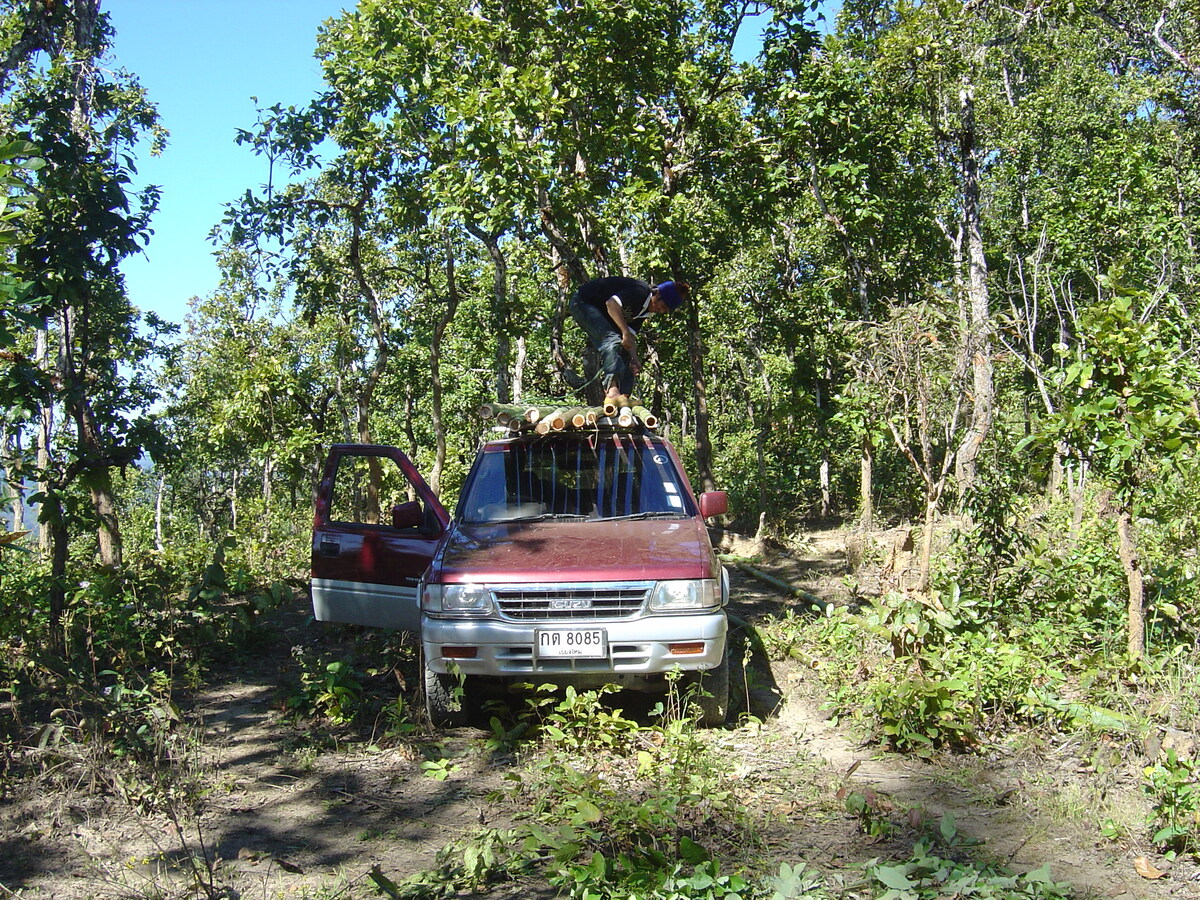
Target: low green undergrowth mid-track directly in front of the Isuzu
{"points": [[609, 809]]}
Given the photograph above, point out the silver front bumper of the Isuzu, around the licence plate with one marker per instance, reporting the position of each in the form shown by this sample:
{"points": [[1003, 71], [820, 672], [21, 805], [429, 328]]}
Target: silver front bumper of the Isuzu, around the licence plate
{"points": [[638, 652]]}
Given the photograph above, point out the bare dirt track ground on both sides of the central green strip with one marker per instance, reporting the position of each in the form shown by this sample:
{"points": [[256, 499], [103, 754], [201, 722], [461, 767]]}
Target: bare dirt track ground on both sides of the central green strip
{"points": [[289, 819]]}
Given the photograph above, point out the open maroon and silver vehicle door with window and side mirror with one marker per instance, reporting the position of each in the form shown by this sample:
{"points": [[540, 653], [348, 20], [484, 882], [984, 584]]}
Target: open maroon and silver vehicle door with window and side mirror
{"points": [[376, 529]]}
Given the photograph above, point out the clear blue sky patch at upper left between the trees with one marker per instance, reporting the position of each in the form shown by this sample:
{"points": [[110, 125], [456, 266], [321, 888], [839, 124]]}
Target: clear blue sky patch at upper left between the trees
{"points": [[202, 62]]}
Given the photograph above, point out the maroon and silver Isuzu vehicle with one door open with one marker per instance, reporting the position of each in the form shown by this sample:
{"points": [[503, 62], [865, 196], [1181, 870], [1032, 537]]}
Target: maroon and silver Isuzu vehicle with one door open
{"points": [[577, 557]]}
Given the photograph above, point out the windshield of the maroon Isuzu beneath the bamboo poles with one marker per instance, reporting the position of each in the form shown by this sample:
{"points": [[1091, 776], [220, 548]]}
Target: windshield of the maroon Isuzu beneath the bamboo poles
{"points": [[590, 478]]}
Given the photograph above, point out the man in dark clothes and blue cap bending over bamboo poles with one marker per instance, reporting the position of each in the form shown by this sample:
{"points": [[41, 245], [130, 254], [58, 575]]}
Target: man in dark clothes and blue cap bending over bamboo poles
{"points": [[611, 311]]}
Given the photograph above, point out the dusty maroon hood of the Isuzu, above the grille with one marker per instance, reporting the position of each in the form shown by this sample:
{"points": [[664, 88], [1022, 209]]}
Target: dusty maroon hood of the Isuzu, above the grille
{"points": [[575, 551]]}
